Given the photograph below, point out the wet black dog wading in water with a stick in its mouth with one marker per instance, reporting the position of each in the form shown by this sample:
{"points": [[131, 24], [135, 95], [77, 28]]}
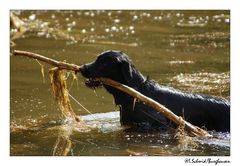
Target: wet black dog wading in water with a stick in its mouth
{"points": [[204, 111]]}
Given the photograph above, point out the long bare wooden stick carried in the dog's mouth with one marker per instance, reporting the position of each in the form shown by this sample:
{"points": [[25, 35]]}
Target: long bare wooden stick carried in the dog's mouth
{"points": [[193, 130]]}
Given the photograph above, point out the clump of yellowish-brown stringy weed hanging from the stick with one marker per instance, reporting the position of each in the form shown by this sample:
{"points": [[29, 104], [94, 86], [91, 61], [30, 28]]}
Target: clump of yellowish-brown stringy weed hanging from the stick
{"points": [[60, 92]]}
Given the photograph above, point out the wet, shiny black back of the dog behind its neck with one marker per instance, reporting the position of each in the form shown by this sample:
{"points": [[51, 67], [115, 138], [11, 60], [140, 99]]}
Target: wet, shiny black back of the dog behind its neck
{"points": [[201, 110]]}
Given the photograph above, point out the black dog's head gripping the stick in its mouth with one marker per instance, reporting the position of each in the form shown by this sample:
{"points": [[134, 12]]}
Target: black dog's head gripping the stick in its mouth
{"points": [[110, 64]]}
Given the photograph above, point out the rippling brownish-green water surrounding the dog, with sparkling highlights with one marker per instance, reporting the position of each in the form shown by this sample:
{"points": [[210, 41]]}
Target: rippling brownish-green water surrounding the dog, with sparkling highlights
{"points": [[188, 50]]}
